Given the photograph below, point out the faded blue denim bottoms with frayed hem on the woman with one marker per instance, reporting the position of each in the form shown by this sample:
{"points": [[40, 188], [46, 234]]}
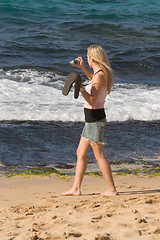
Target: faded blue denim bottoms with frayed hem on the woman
{"points": [[94, 131]]}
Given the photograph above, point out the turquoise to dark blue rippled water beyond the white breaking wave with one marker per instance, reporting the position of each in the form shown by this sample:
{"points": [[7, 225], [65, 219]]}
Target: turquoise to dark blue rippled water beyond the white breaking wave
{"points": [[47, 34]]}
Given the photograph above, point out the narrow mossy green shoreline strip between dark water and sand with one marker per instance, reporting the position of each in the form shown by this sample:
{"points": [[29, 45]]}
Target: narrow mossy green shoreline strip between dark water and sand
{"points": [[144, 167]]}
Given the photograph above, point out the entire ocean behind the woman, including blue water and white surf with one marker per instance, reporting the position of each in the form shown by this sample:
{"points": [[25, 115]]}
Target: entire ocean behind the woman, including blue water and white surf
{"points": [[41, 127]]}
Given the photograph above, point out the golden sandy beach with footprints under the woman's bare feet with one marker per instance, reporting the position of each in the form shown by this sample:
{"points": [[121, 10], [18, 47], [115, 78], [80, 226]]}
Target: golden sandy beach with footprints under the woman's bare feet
{"points": [[32, 208]]}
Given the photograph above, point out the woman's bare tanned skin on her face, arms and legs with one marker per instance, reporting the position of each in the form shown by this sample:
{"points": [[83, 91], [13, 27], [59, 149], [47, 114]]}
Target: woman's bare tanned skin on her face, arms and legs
{"points": [[99, 81]]}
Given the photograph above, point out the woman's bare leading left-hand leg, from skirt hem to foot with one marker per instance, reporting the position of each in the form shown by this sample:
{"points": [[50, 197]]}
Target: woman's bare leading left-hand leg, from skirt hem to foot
{"points": [[81, 167]]}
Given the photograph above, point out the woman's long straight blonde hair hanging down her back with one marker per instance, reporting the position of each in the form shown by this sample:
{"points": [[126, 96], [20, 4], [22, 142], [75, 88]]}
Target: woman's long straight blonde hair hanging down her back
{"points": [[97, 53]]}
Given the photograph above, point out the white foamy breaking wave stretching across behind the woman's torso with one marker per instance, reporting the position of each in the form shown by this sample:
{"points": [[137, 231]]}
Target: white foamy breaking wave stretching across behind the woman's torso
{"points": [[35, 95]]}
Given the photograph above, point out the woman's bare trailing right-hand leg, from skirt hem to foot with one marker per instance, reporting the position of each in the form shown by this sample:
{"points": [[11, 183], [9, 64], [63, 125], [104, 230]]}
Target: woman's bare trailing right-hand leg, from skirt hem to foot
{"points": [[104, 167]]}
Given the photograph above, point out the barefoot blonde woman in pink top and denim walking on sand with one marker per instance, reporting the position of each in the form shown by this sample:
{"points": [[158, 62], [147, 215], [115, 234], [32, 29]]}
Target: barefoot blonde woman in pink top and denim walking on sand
{"points": [[92, 136]]}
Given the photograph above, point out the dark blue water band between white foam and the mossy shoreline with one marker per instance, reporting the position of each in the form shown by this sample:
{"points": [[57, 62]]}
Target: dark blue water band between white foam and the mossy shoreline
{"points": [[54, 144]]}
